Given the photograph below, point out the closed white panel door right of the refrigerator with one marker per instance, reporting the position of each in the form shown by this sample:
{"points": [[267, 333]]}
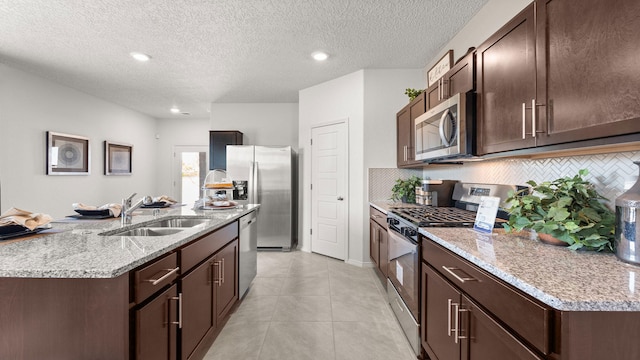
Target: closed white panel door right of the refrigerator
{"points": [[329, 190]]}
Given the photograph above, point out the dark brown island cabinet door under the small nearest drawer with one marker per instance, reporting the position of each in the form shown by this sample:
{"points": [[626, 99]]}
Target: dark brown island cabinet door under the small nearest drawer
{"points": [[156, 328]]}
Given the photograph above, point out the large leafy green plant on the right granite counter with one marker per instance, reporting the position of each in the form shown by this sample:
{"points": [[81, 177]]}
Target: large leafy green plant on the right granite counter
{"points": [[569, 209]]}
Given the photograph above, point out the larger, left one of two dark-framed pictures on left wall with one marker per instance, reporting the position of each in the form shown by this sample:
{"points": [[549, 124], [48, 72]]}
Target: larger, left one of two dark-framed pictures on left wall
{"points": [[67, 154]]}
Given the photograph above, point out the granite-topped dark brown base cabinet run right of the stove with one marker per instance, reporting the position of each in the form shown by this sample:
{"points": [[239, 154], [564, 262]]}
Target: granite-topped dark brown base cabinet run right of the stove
{"points": [[517, 297]]}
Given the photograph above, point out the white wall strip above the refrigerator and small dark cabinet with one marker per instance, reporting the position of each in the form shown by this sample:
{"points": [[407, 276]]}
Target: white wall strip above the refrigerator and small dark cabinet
{"points": [[260, 123]]}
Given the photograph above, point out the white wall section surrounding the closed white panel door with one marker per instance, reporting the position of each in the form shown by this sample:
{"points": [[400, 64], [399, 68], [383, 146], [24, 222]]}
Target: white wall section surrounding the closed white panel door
{"points": [[338, 99]]}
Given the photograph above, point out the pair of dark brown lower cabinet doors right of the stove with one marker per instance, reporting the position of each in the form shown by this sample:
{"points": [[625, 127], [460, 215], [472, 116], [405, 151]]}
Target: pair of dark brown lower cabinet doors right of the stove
{"points": [[456, 328]]}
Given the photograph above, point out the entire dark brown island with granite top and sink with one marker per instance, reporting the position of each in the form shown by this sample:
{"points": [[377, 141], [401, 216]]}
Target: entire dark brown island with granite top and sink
{"points": [[85, 292]]}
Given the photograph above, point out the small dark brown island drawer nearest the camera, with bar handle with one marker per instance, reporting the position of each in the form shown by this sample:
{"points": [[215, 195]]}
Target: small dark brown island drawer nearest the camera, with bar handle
{"points": [[155, 276]]}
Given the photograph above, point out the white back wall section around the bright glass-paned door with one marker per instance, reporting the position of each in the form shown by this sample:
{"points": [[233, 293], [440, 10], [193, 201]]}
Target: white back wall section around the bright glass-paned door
{"points": [[173, 132]]}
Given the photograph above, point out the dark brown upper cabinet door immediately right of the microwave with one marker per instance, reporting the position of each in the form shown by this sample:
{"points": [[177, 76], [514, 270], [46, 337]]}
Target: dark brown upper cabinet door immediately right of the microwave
{"points": [[506, 81]]}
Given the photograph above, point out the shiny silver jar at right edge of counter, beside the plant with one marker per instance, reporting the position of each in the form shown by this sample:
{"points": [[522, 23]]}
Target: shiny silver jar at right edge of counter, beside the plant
{"points": [[627, 229]]}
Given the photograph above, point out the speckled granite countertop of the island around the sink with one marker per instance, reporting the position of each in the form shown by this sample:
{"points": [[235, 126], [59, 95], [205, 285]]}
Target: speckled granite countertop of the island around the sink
{"points": [[76, 250]]}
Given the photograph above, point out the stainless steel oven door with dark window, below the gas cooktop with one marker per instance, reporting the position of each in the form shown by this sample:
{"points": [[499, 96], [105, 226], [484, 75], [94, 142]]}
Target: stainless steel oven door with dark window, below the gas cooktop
{"points": [[404, 269]]}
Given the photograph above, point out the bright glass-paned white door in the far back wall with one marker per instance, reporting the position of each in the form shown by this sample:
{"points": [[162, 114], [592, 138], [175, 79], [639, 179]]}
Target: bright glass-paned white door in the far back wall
{"points": [[191, 165]]}
